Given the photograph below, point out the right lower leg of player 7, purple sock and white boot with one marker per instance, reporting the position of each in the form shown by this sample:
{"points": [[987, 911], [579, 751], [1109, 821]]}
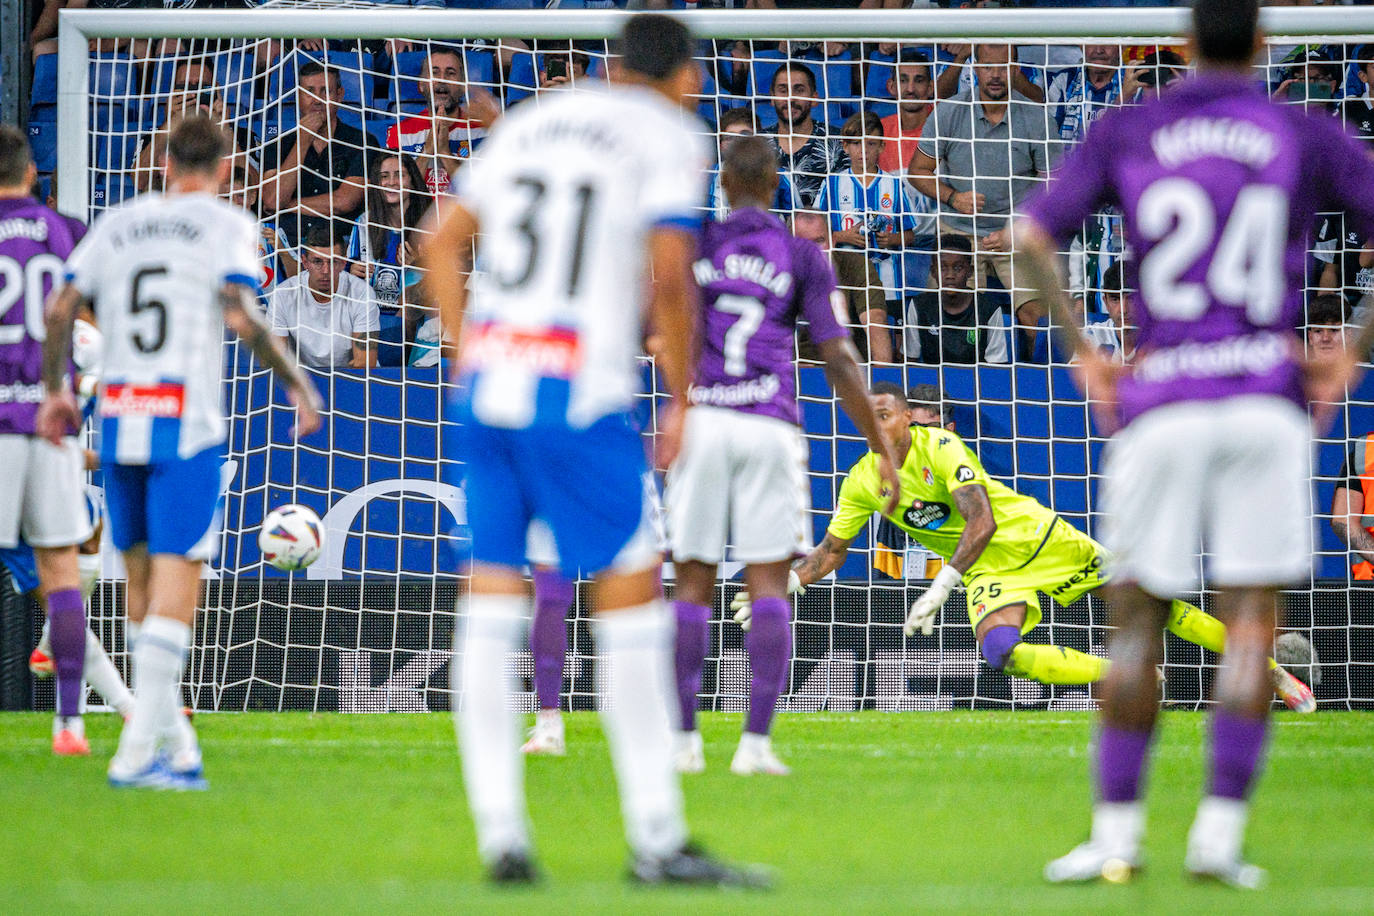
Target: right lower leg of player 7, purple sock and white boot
{"points": [[769, 643]]}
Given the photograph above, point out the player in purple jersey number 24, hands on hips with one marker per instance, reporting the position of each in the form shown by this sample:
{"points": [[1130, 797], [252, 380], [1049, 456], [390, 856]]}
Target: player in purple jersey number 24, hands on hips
{"points": [[1219, 190]]}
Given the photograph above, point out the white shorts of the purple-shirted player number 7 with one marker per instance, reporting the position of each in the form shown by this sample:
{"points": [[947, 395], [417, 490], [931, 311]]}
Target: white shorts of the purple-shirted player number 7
{"points": [[740, 479]]}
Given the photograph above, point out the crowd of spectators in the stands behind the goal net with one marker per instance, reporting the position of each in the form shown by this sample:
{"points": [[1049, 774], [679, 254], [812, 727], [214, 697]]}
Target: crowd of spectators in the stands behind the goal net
{"points": [[903, 161]]}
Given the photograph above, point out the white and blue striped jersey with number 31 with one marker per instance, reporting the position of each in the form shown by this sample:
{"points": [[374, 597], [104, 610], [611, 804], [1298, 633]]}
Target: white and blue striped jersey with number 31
{"points": [[567, 193]]}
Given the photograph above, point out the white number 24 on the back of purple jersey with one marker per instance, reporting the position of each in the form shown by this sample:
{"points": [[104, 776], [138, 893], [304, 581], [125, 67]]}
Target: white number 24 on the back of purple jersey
{"points": [[1247, 267]]}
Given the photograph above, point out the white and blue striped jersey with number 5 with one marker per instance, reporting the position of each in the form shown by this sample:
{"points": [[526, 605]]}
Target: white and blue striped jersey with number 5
{"points": [[153, 270]]}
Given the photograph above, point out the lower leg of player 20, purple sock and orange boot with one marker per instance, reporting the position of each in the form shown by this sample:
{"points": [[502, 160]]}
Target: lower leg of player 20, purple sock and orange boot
{"points": [[61, 587]]}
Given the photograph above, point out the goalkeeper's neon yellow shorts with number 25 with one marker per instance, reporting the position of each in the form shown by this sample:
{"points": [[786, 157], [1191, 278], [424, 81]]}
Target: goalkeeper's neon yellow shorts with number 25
{"points": [[1067, 566]]}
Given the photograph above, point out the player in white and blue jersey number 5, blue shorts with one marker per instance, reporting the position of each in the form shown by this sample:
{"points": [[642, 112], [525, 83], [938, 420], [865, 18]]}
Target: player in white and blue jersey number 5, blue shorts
{"points": [[163, 274]]}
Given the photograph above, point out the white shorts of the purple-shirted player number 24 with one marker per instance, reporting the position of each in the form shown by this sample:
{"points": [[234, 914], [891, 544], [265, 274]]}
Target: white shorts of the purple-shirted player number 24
{"points": [[1229, 477]]}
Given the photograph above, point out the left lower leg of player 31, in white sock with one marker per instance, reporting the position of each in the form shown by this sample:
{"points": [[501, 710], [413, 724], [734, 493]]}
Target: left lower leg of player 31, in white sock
{"points": [[488, 731]]}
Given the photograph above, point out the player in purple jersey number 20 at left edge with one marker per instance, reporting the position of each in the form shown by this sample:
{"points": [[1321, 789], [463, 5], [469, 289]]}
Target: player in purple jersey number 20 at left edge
{"points": [[42, 499]]}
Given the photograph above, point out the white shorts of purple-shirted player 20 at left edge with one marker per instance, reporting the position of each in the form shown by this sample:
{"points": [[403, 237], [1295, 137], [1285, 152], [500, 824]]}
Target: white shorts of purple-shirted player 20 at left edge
{"points": [[43, 495]]}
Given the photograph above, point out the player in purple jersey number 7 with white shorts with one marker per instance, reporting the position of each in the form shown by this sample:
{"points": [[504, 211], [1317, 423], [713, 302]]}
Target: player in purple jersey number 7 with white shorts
{"points": [[741, 476]]}
